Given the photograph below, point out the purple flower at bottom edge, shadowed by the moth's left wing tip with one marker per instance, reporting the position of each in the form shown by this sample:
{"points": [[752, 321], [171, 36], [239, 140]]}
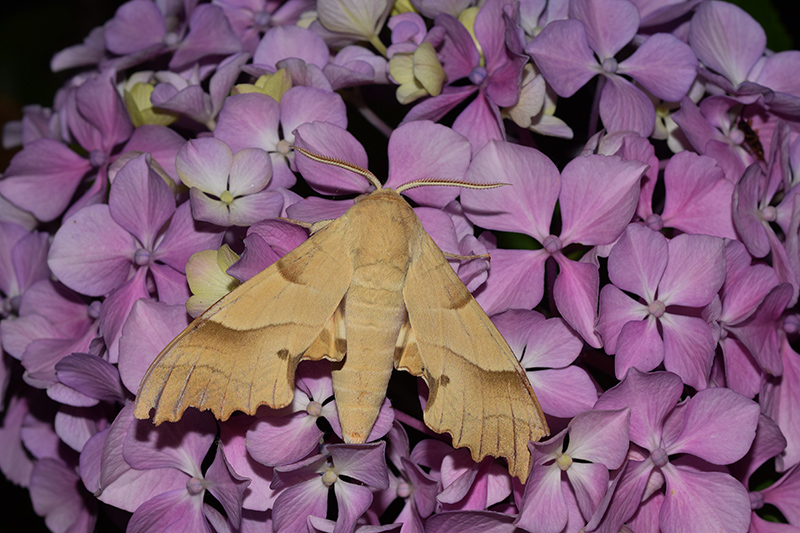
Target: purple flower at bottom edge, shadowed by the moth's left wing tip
{"points": [[156, 472]]}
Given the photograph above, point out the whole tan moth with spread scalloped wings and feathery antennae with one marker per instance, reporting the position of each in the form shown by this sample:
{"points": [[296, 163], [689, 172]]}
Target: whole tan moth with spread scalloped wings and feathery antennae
{"points": [[370, 291]]}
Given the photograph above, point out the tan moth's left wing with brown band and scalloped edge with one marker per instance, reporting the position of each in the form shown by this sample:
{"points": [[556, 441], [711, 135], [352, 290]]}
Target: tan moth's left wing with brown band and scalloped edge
{"points": [[243, 351]]}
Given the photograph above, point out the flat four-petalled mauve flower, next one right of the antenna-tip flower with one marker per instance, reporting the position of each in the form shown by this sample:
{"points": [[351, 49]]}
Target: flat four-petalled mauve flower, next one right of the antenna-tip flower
{"points": [[674, 280]]}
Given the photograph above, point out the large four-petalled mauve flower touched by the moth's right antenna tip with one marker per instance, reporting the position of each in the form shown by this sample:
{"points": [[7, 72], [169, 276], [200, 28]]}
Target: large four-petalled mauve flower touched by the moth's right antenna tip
{"points": [[597, 195]]}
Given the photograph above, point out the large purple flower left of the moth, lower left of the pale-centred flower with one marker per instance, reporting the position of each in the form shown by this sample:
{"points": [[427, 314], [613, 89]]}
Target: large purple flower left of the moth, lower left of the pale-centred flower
{"points": [[137, 241]]}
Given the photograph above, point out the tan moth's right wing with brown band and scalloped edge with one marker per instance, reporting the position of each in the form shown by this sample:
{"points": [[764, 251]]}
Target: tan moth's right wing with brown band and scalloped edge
{"points": [[478, 391]]}
